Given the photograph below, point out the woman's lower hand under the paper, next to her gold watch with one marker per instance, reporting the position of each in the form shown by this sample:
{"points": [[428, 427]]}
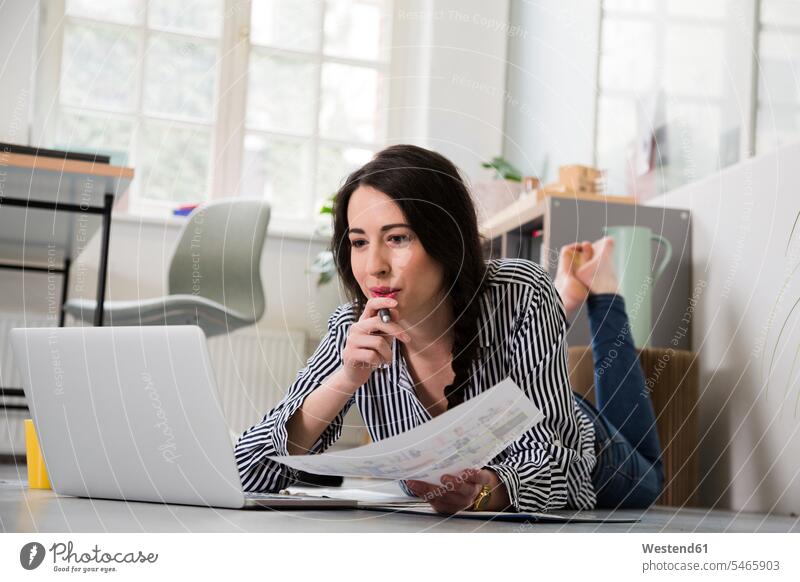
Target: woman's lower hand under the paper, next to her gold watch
{"points": [[458, 492]]}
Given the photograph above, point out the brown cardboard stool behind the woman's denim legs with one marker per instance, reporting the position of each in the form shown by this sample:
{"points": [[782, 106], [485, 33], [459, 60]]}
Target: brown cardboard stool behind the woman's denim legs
{"points": [[673, 381]]}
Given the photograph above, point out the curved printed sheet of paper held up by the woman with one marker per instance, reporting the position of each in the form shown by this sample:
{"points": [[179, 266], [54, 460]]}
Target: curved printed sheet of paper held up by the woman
{"points": [[468, 436]]}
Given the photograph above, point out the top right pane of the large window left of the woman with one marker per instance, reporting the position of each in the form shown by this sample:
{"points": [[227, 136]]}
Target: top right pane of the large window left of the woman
{"points": [[354, 28]]}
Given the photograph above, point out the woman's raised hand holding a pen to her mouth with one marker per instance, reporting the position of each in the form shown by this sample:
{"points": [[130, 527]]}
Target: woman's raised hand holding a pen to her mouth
{"points": [[369, 341]]}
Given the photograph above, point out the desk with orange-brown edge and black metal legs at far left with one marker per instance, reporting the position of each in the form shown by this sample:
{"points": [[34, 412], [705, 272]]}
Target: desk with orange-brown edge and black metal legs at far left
{"points": [[46, 219]]}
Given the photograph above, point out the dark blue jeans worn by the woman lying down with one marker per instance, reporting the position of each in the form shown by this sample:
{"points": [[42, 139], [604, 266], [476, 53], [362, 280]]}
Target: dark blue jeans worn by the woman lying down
{"points": [[629, 471]]}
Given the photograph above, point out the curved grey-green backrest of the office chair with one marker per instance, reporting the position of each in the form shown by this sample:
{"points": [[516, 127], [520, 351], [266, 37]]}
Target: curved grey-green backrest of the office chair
{"points": [[218, 255]]}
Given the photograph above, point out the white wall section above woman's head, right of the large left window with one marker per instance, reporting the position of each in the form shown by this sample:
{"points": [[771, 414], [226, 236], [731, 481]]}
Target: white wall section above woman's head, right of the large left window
{"points": [[449, 77]]}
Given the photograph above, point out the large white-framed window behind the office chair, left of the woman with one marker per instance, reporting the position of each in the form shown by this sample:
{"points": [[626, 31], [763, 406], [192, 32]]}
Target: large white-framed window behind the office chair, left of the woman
{"points": [[210, 98]]}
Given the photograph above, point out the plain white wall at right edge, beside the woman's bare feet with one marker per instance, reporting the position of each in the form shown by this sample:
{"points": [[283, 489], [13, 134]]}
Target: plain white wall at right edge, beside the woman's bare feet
{"points": [[746, 331]]}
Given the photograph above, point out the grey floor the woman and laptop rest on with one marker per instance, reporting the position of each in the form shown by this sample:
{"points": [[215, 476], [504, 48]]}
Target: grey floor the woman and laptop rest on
{"points": [[33, 510]]}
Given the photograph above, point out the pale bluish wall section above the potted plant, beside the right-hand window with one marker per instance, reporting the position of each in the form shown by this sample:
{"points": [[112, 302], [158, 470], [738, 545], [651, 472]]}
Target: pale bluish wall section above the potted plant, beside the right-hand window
{"points": [[552, 57]]}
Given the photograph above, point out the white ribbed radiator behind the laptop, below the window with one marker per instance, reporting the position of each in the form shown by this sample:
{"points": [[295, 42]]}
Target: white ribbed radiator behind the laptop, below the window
{"points": [[254, 368]]}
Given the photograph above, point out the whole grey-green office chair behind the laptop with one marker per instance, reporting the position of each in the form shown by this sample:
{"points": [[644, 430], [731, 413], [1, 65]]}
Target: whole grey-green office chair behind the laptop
{"points": [[214, 278]]}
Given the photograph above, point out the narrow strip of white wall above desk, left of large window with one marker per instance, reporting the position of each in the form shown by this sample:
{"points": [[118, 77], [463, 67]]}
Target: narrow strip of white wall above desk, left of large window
{"points": [[18, 33]]}
